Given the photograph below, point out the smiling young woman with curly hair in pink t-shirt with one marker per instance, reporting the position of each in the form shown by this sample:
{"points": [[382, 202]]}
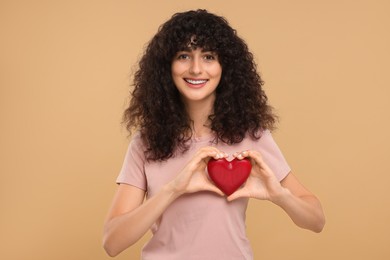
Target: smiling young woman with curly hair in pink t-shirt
{"points": [[198, 96]]}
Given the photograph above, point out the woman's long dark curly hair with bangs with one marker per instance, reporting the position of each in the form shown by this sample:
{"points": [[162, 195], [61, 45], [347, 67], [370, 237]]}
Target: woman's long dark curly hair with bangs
{"points": [[156, 108]]}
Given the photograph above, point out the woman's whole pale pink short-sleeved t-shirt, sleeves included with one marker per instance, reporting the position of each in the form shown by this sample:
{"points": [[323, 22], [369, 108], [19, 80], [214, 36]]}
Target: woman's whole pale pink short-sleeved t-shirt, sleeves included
{"points": [[203, 225]]}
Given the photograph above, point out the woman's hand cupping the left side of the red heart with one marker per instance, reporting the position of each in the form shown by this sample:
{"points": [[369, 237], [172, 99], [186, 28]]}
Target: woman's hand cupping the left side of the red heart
{"points": [[193, 176]]}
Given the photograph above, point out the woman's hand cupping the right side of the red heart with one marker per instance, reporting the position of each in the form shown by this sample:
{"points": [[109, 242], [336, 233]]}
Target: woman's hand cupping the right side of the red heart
{"points": [[262, 183]]}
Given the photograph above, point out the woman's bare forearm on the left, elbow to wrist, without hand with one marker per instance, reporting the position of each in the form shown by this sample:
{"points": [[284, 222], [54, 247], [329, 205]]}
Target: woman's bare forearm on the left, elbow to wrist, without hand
{"points": [[123, 231]]}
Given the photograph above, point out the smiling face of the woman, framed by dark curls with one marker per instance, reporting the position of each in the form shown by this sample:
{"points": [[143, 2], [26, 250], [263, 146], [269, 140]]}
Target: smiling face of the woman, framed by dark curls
{"points": [[196, 74]]}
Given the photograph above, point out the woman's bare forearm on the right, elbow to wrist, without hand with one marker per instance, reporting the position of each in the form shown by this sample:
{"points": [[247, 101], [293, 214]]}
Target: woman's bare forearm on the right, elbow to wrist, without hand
{"points": [[305, 211]]}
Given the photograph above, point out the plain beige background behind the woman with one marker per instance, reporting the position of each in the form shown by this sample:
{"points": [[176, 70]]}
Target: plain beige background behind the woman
{"points": [[64, 73]]}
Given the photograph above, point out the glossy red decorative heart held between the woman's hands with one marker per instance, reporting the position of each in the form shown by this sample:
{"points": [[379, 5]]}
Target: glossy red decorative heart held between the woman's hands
{"points": [[229, 176]]}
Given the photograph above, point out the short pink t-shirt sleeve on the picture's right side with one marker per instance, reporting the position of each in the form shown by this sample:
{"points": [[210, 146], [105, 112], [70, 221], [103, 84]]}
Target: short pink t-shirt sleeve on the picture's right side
{"points": [[272, 155]]}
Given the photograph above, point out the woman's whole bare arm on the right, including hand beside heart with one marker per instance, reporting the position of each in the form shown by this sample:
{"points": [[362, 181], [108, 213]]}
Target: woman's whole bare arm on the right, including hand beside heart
{"points": [[300, 204]]}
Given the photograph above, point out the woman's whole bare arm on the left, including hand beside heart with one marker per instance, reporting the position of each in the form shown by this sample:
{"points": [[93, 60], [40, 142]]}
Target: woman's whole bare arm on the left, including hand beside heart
{"points": [[130, 218]]}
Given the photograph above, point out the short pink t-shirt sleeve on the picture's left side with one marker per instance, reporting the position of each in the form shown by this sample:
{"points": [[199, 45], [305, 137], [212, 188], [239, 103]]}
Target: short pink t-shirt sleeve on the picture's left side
{"points": [[133, 170]]}
